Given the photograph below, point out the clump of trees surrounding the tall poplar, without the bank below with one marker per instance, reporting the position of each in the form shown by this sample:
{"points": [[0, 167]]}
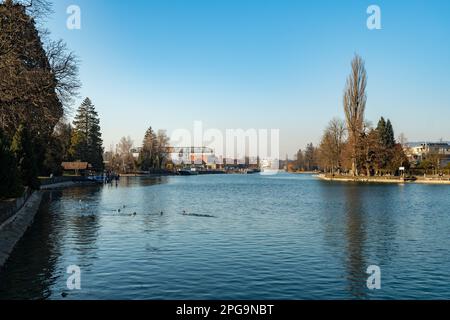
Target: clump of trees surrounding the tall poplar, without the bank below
{"points": [[353, 146]]}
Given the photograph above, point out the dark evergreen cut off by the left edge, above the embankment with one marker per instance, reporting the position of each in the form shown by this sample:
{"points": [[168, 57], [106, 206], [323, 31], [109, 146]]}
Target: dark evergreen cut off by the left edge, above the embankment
{"points": [[10, 185]]}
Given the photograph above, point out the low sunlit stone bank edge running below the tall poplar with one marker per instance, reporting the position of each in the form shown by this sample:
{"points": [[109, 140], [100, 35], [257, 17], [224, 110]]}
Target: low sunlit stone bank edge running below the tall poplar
{"points": [[391, 180]]}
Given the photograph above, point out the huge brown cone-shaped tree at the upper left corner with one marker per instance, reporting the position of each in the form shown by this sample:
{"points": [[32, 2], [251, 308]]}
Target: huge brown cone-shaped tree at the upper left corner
{"points": [[27, 86]]}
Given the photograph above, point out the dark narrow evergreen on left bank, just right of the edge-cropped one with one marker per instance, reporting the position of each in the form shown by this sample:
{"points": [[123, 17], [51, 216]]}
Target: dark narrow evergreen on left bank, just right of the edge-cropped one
{"points": [[22, 149]]}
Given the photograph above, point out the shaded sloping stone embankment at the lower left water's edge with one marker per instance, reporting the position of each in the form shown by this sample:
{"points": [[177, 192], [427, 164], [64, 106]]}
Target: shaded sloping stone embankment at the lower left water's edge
{"points": [[13, 229]]}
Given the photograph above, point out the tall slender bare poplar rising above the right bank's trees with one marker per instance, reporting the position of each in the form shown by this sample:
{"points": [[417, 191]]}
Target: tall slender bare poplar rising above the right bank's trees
{"points": [[354, 105]]}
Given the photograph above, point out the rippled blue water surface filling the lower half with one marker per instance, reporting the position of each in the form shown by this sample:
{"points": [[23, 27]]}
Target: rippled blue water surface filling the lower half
{"points": [[250, 237]]}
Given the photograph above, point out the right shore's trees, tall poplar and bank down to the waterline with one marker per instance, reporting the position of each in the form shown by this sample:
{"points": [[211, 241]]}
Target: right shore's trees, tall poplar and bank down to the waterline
{"points": [[354, 149]]}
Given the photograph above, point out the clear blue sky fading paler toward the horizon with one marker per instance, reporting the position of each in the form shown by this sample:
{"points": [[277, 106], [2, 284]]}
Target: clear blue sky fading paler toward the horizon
{"points": [[259, 64]]}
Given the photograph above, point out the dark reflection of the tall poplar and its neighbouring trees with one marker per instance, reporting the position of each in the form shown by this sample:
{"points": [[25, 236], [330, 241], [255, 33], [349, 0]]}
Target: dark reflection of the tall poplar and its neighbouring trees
{"points": [[360, 223]]}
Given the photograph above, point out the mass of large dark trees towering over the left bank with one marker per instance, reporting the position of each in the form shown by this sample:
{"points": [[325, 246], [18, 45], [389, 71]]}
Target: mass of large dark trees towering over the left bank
{"points": [[38, 80]]}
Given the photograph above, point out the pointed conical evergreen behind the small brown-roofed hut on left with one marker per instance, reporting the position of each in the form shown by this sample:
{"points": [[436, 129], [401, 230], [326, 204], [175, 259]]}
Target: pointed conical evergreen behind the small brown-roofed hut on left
{"points": [[86, 142]]}
